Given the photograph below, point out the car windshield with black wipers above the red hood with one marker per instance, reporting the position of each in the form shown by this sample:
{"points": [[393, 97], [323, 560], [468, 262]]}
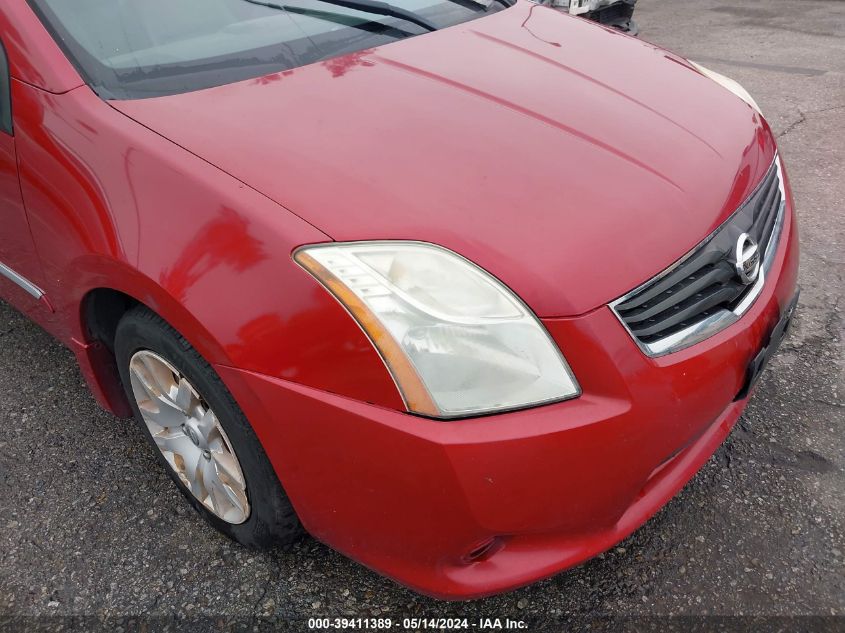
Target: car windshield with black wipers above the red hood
{"points": [[129, 49]]}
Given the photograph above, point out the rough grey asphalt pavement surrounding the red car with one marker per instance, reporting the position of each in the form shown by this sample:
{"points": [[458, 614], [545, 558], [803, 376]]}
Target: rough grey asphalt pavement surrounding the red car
{"points": [[90, 525]]}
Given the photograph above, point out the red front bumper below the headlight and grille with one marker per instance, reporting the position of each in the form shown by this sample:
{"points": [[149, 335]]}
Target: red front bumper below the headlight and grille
{"points": [[553, 486]]}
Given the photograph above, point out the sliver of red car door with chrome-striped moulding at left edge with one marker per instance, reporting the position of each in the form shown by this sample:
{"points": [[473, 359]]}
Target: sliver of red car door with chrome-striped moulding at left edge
{"points": [[20, 270]]}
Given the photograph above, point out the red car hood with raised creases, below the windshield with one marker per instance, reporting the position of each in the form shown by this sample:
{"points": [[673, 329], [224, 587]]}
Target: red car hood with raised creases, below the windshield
{"points": [[569, 160]]}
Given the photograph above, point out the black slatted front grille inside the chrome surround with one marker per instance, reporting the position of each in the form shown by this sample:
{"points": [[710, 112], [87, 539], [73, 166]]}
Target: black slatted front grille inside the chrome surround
{"points": [[705, 282]]}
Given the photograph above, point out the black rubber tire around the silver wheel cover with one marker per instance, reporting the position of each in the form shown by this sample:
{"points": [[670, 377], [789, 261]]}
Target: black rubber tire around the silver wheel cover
{"points": [[271, 518]]}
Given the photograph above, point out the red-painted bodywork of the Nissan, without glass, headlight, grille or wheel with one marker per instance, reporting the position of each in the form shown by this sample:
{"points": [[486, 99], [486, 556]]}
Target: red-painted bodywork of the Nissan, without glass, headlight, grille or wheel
{"points": [[571, 177]]}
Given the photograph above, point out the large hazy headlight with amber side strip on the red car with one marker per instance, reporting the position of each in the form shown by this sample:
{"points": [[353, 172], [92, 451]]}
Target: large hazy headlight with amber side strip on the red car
{"points": [[456, 341]]}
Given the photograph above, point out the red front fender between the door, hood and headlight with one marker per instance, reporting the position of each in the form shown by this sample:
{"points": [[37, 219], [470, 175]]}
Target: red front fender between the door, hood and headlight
{"points": [[114, 205]]}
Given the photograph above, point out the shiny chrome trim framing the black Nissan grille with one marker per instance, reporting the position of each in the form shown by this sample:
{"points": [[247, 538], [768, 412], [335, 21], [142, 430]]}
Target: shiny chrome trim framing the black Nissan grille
{"points": [[722, 319]]}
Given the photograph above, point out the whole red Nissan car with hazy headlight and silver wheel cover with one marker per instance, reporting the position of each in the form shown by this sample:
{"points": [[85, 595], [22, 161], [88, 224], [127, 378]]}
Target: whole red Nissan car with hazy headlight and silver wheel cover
{"points": [[466, 289]]}
